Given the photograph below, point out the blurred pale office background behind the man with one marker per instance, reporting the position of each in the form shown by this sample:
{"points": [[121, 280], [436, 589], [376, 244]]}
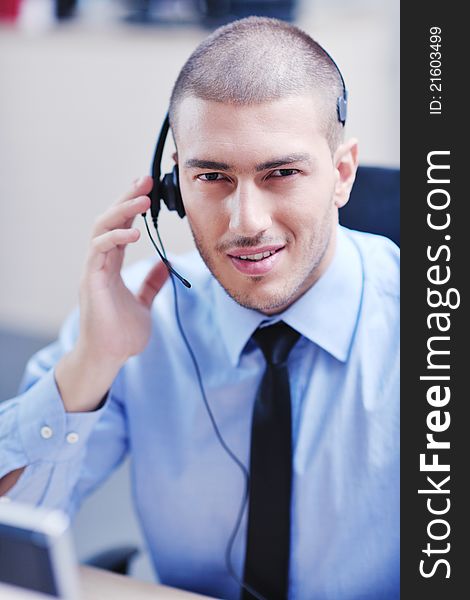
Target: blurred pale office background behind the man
{"points": [[84, 87]]}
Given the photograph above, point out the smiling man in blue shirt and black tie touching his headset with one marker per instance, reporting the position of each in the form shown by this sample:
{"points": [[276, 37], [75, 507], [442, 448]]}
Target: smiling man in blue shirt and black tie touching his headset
{"points": [[263, 170]]}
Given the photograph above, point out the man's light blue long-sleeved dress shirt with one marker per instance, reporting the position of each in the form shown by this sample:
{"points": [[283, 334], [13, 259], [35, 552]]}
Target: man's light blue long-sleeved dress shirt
{"points": [[345, 406]]}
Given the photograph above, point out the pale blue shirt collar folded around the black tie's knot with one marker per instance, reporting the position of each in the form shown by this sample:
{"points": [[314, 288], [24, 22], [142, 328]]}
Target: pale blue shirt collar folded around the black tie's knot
{"points": [[326, 314]]}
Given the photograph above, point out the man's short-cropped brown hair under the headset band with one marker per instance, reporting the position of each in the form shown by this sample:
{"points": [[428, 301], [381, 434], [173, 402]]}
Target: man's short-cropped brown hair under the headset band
{"points": [[256, 60]]}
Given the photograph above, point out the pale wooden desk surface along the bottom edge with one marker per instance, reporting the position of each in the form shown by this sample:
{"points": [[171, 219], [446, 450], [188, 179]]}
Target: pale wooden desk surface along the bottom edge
{"points": [[97, 584]]}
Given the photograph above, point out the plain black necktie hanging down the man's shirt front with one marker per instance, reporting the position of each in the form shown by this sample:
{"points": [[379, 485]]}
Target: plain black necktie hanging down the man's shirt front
{"points": [[268, 537]]}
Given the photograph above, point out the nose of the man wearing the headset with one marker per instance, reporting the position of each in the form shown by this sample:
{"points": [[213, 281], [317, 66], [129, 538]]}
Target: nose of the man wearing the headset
{"points": [[249, 211]]}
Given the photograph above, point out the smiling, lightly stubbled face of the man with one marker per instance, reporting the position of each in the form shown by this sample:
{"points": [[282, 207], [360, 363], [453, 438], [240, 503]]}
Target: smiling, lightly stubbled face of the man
{"points": [[260, 189]]}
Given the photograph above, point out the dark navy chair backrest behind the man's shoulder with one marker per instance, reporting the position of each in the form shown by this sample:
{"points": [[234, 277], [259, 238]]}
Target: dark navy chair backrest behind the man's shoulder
{"points": [[374, 205]]}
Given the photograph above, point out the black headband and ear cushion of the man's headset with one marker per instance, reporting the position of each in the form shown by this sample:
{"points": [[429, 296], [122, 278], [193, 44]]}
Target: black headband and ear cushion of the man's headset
{"points": [[168, 188]]}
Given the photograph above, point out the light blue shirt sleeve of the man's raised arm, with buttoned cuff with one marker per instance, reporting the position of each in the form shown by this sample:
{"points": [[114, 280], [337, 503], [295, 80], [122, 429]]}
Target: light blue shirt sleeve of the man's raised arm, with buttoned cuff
{"points": [[66, 455]]}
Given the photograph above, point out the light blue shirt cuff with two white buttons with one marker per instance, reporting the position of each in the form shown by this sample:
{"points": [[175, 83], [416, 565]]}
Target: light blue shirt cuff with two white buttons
{"points": [[48, 432]]}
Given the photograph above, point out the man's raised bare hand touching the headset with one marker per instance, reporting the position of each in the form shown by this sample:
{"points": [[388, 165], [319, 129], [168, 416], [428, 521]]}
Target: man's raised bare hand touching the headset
{"points": [[114, 323]]}
